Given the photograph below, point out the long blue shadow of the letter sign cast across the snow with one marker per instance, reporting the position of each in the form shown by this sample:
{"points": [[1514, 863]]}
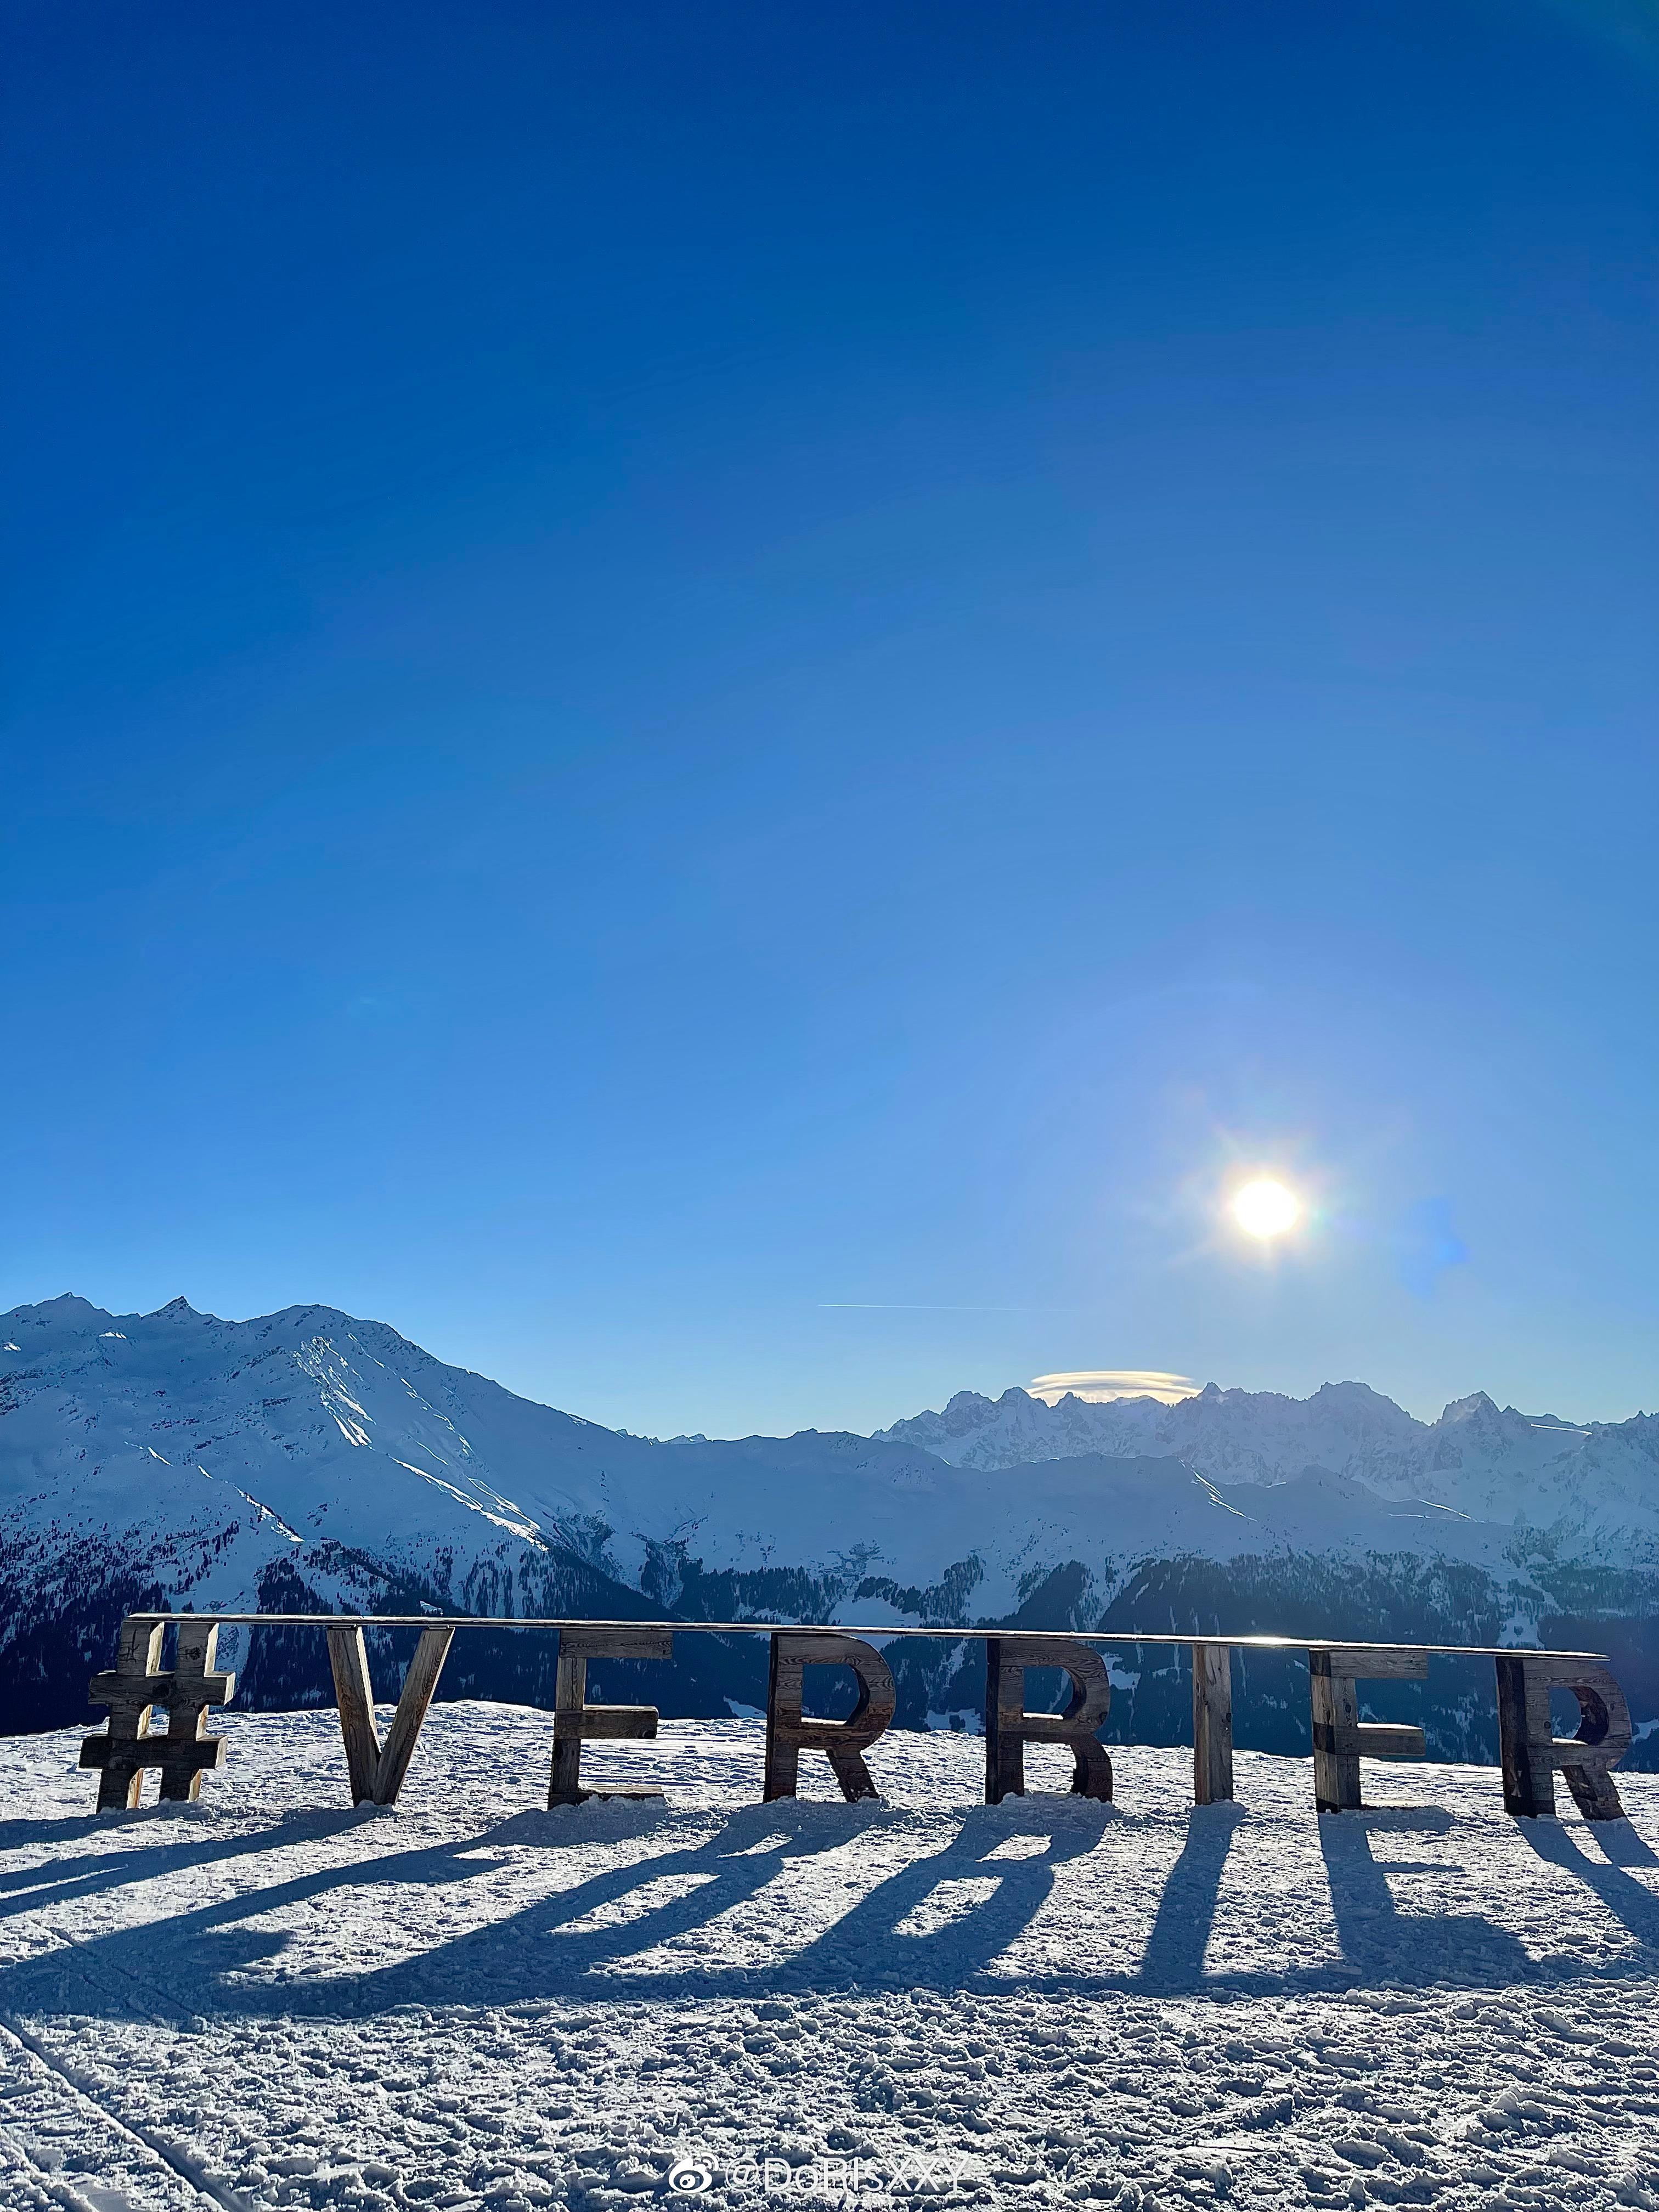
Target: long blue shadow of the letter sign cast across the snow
{"points": [[534, 1952]]}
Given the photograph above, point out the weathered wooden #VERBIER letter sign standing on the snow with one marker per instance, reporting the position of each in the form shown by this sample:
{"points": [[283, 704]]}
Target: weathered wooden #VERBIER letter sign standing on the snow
{"points": [[1532, 1755]]}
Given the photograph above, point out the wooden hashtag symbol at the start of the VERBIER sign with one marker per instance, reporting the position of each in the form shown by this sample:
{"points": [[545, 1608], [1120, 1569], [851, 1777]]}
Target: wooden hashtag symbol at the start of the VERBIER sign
{"points": [[134, 1689]]}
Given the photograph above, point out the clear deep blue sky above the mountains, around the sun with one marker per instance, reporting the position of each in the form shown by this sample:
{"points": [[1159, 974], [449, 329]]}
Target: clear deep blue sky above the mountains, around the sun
{"points": [[722, 705]]}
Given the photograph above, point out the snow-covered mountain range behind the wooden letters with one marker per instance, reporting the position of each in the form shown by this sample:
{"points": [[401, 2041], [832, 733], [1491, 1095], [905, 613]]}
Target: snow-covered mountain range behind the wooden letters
{"points": [[311, 1461]]}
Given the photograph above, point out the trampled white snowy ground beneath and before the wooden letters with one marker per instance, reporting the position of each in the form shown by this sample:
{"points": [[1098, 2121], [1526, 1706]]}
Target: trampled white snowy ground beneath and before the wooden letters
{"points": [[470, 2001]]}
